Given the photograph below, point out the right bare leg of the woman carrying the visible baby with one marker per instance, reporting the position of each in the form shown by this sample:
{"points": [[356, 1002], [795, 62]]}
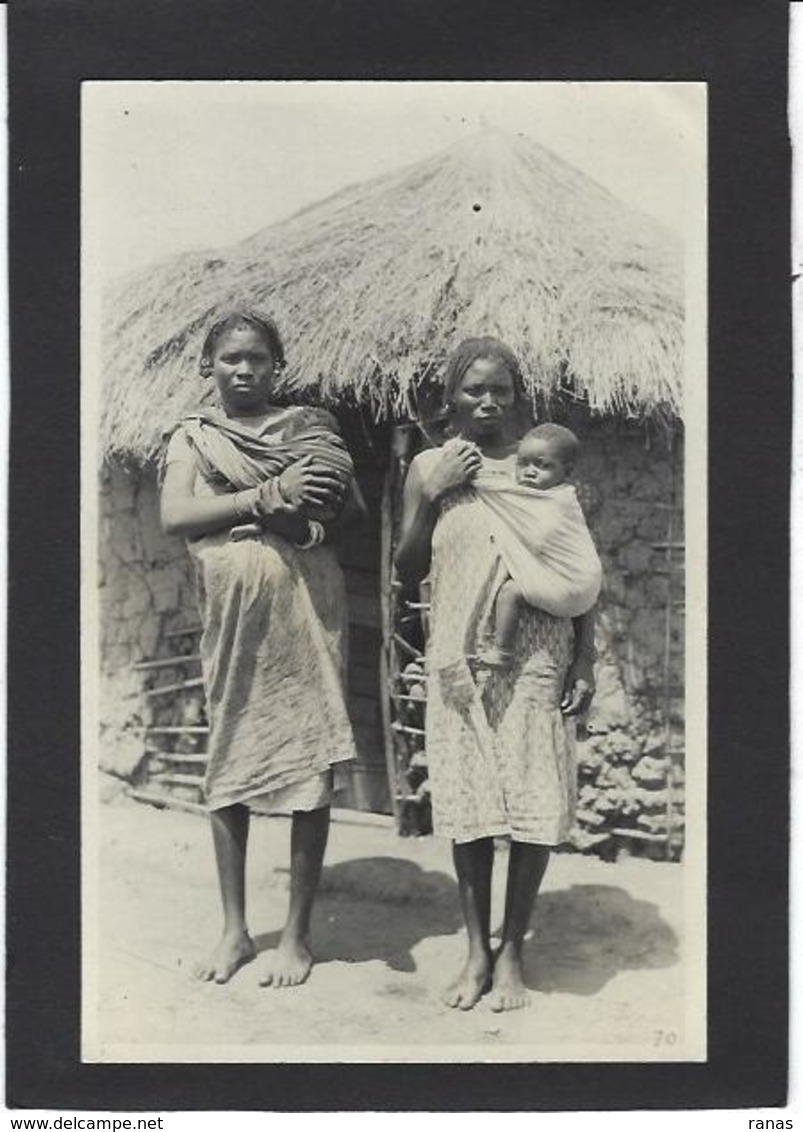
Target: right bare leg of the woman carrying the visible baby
{"points": [[525, 873]]}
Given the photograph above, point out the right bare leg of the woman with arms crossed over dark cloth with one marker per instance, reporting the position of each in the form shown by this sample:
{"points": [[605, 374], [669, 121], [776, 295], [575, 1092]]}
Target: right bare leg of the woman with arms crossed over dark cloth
{"points": [[292, 963]]}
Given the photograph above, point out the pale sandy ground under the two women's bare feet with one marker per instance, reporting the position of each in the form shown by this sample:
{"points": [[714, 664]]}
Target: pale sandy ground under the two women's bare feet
{"points": [[604, 958]]}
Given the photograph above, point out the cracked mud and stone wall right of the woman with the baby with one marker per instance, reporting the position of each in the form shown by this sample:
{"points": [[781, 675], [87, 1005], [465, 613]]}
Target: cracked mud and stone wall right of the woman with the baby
{"points": [[631, 758]]}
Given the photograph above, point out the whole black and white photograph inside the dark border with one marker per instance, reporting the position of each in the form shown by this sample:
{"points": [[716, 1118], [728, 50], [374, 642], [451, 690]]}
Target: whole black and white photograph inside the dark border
{"points": [[394, 571]]}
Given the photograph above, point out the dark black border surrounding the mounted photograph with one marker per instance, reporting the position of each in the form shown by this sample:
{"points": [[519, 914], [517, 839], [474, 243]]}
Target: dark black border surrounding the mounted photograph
{"points": [[740, 49]]}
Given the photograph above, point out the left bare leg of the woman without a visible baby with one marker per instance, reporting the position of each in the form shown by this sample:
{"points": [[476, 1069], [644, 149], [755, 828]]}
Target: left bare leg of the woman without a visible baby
{"points": [[236, 947]]}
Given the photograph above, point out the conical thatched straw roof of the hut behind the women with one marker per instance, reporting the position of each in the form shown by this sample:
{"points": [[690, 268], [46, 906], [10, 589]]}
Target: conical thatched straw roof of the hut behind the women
{"points": [[374, 286]]}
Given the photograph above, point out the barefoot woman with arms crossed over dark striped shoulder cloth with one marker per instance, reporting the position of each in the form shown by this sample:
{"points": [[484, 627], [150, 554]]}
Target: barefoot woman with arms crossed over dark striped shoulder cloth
{"points": [[257, 491]]}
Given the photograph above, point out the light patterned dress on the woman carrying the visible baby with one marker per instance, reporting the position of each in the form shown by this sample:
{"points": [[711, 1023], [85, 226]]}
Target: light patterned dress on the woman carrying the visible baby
{"points": [[516, 777]]}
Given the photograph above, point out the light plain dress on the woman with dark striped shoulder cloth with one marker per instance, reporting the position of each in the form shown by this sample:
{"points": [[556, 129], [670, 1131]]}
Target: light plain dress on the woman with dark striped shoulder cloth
{"points": [[274, 661]]}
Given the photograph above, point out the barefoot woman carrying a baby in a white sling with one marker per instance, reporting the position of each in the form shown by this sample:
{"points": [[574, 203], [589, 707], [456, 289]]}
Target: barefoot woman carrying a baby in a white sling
{"points": [[516, 776]]}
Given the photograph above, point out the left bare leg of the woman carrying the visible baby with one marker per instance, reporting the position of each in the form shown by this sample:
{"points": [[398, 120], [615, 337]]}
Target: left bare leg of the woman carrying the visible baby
{"points": [[474, 863]]}
